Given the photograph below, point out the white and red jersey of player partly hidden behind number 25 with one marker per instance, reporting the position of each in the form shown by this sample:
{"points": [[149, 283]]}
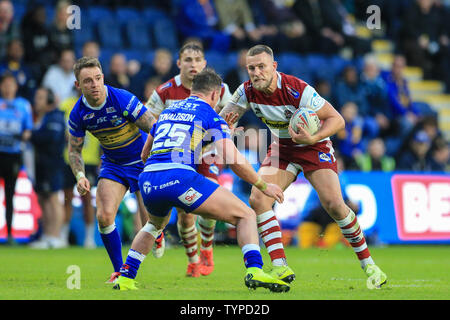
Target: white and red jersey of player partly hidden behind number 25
{"points": [[173, 90]]}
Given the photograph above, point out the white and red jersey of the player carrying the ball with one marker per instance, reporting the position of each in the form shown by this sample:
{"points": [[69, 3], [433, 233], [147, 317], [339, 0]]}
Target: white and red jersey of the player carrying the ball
{"points": [[275, 110]]}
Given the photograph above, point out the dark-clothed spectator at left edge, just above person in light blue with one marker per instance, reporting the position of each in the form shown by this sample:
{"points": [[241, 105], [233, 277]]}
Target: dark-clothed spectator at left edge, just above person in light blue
{"points": [[14, 64]]}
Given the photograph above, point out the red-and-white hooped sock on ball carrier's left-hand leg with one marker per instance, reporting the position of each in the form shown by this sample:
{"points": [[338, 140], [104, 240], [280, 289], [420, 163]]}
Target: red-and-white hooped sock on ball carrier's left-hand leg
{"points": [[270, 233]]}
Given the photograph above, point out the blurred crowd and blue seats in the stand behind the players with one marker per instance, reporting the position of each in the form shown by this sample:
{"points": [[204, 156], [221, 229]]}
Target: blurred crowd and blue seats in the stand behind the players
{"points": [[137, 41]]}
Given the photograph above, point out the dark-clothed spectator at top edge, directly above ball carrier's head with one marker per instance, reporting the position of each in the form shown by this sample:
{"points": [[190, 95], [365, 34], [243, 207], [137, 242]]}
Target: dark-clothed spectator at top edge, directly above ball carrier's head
{"points": [[290, 30]]}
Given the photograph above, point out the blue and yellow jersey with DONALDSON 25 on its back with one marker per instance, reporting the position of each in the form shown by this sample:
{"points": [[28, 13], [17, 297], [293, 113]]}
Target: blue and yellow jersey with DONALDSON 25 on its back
{"points": [[180, 134]]}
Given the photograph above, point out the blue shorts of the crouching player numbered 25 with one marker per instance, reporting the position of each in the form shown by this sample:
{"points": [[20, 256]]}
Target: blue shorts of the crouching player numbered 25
{"points": [[181, 188]]}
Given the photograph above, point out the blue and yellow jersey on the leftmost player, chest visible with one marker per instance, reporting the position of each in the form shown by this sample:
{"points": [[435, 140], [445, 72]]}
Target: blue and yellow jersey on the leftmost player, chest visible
{"points": [[113, 124]]}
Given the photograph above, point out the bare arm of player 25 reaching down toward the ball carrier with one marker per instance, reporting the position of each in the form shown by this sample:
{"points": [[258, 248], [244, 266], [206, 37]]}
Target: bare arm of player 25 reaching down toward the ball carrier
{"points": [[239, 164]]}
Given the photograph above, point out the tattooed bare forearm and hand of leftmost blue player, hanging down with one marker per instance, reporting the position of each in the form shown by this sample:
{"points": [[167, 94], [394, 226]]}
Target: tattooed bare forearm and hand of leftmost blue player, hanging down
{"points": [[77, 164]]}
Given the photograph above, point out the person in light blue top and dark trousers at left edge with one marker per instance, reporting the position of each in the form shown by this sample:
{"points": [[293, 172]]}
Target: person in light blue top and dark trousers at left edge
{"points": [[15, 127]]}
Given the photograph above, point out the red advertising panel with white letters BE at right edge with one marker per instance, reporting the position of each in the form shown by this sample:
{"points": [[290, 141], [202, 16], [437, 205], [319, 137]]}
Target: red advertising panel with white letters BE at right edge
{"points": [[422, 206]]}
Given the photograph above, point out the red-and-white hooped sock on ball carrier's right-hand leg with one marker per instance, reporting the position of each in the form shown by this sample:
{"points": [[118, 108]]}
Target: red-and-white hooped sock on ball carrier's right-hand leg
{"points": [[354, 235]]}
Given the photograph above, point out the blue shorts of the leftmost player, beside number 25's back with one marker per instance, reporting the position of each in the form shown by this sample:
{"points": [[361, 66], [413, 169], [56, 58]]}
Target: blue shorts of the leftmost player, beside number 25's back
{"points": [[126, 175]]}
